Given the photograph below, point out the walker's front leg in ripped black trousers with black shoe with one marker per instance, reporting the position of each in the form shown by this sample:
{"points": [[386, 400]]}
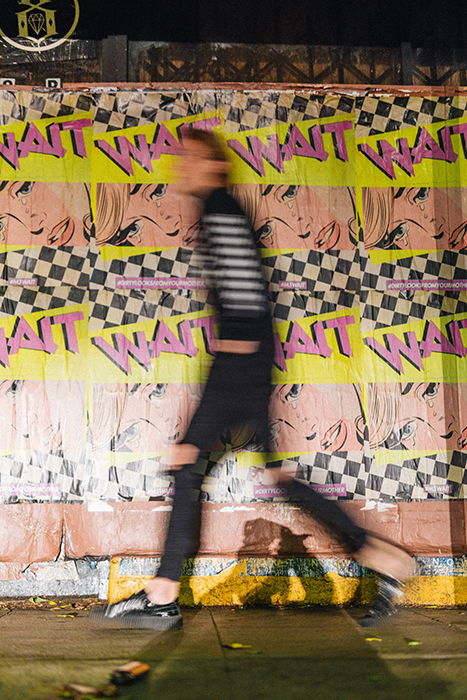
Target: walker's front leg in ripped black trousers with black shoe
{"points": [[226, 401]]}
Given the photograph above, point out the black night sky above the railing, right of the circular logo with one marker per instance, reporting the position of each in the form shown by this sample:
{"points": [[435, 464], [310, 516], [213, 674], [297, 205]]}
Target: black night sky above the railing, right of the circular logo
{"points": [[328, 22]]}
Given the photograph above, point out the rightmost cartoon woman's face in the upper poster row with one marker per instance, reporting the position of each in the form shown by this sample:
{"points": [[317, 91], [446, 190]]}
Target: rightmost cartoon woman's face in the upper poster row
{"points": [[415, 218]]}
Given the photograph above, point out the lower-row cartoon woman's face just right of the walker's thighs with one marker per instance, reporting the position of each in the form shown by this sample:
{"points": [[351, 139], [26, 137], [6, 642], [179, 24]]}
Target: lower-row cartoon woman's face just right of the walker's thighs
{"points": [[316, 417]]}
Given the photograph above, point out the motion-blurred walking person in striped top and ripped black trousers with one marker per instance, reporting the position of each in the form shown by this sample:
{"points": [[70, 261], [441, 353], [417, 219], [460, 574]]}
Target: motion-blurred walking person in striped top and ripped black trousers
{"points": [[237, 392]]}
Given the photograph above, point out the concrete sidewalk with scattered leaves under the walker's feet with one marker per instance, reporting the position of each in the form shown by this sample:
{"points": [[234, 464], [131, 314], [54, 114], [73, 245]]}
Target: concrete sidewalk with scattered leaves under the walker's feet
{"points": [[295, 653]]}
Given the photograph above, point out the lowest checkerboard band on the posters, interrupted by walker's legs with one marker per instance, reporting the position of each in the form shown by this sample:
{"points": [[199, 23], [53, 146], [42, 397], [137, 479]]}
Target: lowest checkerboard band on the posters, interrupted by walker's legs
{"points": [[436, 476]]}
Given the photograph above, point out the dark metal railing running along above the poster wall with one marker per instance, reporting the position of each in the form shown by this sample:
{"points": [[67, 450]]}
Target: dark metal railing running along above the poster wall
{"points": [[116, 59]]}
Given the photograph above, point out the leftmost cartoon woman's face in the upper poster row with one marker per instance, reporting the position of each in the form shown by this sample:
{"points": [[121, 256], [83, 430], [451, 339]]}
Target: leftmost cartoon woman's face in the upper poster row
{"points": [[44, 213]]}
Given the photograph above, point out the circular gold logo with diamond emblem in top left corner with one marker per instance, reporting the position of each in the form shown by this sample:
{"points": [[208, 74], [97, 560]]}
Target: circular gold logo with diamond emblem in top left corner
{"points": [[38, 25]]}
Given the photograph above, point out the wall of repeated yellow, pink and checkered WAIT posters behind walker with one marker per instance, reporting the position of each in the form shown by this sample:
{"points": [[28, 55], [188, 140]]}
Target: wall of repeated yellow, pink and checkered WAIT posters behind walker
{"points": [[106, 332]]}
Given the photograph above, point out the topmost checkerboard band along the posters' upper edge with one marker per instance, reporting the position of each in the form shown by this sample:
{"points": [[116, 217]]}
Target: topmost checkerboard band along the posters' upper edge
{"points": [[114, 108]]}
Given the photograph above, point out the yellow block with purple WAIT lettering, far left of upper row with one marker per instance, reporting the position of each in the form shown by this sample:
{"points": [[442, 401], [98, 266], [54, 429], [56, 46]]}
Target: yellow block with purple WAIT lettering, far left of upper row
{"points": [[48, 150]]}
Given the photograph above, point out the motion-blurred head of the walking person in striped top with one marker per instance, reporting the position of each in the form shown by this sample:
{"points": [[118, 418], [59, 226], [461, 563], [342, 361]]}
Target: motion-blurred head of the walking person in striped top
{"points": [[204, 164]]}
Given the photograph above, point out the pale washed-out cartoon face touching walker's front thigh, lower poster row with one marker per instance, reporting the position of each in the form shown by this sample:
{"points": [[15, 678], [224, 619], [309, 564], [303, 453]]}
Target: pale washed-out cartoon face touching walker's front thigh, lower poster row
{"points": [[141, 417]]}
